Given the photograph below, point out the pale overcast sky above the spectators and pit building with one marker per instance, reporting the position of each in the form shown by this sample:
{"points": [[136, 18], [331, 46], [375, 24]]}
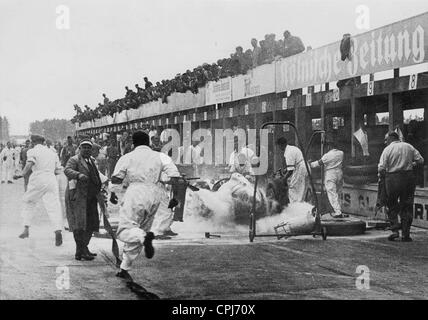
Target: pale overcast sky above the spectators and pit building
{"points": [[44, 70]]}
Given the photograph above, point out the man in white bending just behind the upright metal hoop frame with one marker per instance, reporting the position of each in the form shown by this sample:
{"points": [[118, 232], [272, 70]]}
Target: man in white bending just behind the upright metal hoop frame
{"points": [[297, 175]]}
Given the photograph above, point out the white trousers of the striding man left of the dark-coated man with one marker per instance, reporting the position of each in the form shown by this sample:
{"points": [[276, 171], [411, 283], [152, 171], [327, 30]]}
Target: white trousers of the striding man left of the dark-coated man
{"points": [[43, 187]]}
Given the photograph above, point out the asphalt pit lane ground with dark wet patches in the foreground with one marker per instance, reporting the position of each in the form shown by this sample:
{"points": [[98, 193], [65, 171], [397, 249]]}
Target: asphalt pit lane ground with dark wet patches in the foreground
{"points": [[192, 267]]}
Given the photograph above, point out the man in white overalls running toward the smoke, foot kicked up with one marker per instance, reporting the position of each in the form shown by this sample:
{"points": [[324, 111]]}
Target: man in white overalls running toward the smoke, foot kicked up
{"points": [[141, 169]]}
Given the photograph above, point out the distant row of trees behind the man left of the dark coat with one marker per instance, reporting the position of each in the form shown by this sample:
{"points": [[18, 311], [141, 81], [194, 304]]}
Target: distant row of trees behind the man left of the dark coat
{"points": [[53, 129]]}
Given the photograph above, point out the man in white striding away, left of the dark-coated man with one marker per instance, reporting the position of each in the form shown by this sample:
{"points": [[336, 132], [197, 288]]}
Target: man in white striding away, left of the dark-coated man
{"points": [[42, 185]]}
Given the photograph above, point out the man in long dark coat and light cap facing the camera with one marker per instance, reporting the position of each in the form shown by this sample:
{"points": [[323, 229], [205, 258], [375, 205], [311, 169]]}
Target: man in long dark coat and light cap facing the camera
{"points": [[82, 196]]}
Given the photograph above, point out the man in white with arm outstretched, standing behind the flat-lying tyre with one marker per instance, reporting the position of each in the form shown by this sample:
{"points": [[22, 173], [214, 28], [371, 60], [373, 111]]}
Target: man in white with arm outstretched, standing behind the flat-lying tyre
{"points": [[333, 177]]}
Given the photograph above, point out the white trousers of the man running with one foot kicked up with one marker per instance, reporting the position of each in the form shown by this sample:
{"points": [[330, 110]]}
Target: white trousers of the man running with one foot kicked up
{"points": [[136, 215]]}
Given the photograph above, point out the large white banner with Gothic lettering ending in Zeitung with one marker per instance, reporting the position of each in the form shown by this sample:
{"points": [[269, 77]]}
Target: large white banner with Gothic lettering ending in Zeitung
{"points": [[397, 45]]}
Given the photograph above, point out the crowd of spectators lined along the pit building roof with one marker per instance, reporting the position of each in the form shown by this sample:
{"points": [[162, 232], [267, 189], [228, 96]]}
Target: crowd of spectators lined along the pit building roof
{"points": [[262, 52]]}
